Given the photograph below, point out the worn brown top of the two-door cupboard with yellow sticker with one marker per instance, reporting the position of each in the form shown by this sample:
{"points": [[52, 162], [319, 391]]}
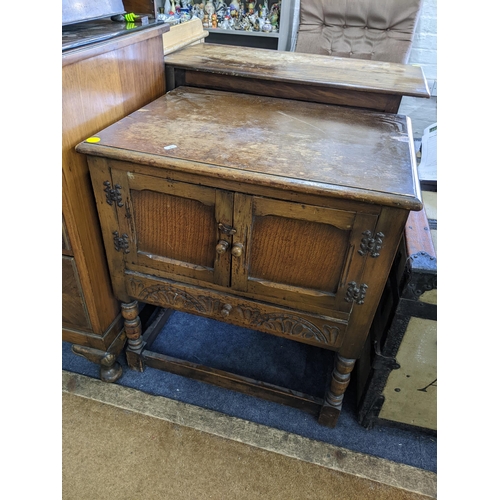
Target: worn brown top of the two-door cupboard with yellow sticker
{"points": [[301, 146]]}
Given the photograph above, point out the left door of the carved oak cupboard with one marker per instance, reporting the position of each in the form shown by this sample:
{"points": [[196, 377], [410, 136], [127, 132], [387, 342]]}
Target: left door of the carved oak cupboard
{"points": [[173, 227]]}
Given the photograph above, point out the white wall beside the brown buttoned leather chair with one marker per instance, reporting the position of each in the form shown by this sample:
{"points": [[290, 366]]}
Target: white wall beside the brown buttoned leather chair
{"points": [[424, 48]]}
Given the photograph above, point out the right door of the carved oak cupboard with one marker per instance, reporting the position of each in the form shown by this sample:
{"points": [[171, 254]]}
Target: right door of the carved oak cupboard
{"points": [[299, 255]]}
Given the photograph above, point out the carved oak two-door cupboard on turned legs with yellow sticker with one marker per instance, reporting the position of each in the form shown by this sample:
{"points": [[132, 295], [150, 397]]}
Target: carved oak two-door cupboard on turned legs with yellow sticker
{"points": [[272, 214]]}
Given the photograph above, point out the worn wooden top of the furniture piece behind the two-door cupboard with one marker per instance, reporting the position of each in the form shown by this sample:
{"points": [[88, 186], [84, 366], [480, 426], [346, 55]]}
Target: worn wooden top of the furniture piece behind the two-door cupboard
{"points": [[308, 69]]}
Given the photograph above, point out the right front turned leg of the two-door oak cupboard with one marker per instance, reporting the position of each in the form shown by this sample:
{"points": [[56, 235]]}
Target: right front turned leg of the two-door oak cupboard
{"points": [[340, 378]]}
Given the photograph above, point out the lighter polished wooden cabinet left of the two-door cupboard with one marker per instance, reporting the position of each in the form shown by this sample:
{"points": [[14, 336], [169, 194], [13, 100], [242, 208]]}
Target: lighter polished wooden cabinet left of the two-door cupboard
{"points": [[101, 83]]}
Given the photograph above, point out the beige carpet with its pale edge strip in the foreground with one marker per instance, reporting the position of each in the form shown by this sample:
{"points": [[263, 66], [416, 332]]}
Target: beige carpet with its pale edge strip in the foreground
{"points": [[119, 443]]}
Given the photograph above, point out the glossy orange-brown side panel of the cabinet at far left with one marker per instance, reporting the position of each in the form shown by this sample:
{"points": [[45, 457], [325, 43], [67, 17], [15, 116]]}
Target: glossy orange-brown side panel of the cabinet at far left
{"points": [[98, 91]]}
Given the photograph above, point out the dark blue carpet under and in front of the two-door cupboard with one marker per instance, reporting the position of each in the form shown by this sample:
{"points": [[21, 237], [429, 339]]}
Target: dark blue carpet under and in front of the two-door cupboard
{"points": [[272, 359]]}
